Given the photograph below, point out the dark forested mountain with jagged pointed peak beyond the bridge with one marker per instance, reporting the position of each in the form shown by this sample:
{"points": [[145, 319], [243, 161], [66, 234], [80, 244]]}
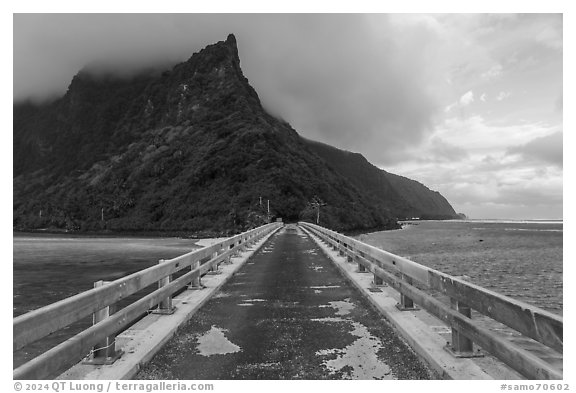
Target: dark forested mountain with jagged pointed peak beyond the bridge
{"points": [[190, 149]]}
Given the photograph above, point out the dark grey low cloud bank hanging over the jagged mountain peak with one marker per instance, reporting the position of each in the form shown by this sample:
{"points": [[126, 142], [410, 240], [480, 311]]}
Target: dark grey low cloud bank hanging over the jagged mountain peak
{"points": [[355, 81]]}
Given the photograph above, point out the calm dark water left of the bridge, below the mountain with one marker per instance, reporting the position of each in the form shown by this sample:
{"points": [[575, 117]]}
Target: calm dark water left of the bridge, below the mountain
{"points": [[48, 268]]}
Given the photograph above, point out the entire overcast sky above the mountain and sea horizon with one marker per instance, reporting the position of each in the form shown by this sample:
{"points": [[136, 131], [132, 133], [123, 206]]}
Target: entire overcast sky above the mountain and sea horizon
{"points": [[469, 105]]}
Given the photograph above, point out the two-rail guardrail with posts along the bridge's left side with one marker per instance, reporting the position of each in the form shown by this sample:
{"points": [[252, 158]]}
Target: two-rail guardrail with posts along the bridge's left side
{"points": [[34, 325]]}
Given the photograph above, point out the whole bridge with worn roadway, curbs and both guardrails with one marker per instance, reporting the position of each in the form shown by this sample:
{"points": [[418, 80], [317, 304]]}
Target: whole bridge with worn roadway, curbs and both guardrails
{"points": [[291, 302]]}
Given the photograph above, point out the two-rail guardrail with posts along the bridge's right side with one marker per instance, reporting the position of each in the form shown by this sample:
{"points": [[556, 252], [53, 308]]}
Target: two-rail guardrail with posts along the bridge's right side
{"points": [[401, 273]]}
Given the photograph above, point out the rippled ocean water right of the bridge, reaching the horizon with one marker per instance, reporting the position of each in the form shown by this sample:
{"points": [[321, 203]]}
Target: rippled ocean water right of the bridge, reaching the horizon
{"points": [[520, 259]]}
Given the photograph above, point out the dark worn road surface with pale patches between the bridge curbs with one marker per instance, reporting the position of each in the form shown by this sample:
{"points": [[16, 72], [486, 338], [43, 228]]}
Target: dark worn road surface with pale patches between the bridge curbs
{"points": [[286, 314]]}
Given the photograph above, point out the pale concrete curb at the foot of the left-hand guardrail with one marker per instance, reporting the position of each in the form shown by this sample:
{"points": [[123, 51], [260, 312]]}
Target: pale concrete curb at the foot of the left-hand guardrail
{"points": [[145, 338]]}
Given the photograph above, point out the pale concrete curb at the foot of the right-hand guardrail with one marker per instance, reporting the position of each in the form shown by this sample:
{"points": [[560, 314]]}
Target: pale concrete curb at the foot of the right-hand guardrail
{"points": [[424, 333]]}
